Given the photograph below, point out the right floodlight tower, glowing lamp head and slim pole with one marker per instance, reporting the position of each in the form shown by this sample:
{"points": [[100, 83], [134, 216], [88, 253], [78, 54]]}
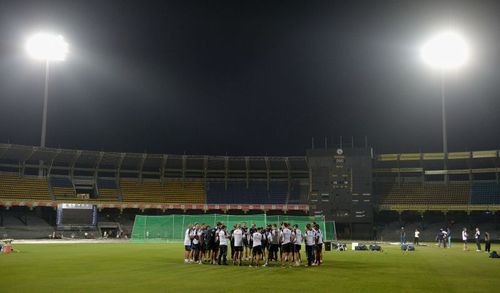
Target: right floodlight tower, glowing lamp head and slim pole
{"points": [[446, 51]]}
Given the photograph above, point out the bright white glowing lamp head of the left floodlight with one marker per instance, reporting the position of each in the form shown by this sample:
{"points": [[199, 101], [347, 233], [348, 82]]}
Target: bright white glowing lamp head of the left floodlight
{"points": [[47, 47]]}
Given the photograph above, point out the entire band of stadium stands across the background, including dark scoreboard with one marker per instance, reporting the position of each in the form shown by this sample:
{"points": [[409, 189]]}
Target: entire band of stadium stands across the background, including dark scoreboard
{"points": [[350, 185]]}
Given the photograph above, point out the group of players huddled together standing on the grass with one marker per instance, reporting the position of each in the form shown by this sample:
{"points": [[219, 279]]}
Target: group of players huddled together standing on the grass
{"points": [[205, 244]]}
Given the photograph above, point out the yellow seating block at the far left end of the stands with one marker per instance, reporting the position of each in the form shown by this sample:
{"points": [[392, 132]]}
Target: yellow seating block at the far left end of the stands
{"points": [[16, 187]]}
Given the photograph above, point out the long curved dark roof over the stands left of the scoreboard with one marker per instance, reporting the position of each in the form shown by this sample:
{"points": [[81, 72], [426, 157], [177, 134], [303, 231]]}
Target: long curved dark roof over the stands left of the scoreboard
{"points": [[135, 161]]}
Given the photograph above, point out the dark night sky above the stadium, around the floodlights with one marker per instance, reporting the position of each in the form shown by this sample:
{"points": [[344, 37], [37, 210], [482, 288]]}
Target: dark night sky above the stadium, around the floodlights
{"points": [[248, 77]]}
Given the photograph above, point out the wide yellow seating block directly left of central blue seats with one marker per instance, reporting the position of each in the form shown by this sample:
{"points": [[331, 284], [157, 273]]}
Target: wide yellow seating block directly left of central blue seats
{"points": [[177, 191]]}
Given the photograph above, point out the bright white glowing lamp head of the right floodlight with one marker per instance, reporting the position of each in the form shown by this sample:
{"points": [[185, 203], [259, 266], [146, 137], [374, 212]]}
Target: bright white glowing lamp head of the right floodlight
{"points": [[445, 51]]}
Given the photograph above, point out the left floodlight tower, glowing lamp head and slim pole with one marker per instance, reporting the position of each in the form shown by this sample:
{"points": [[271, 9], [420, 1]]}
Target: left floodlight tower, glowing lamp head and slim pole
{"points": [[47, 48]]}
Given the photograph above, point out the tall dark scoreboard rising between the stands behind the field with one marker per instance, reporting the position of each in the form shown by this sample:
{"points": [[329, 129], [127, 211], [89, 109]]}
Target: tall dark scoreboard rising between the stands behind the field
{"points": [[341, 186]]}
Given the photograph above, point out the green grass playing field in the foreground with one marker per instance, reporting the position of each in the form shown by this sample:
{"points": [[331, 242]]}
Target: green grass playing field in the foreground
{"points": [[159, 268]]}
